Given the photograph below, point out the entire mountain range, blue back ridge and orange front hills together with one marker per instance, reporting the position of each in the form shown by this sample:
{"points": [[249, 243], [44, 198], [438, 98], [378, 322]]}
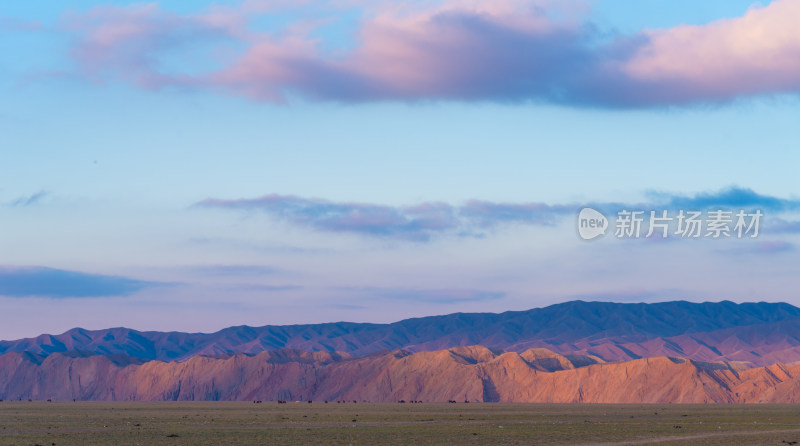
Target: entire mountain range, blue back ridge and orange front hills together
{"points": [[570, 352]]}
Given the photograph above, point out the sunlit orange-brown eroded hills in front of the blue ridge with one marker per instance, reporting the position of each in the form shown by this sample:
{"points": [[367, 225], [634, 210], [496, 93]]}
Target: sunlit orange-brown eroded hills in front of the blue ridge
{"points": [[475, 373]]}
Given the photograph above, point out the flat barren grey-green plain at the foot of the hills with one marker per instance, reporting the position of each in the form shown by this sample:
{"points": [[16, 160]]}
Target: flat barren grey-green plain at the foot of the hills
{"points": [[169, 423]]}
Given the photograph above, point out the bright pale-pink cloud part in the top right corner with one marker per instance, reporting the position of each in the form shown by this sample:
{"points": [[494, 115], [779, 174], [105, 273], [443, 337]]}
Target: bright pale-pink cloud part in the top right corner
{"points": [[756, 53]]}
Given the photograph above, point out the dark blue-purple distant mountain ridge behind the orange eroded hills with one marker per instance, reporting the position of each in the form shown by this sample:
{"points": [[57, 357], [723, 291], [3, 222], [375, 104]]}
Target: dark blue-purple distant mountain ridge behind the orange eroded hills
{"points": [[758, 333]]}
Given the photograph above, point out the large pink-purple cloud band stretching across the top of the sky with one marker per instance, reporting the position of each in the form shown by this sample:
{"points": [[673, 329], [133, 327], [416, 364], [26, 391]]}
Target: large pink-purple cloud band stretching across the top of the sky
{"points": [[454, 50]]}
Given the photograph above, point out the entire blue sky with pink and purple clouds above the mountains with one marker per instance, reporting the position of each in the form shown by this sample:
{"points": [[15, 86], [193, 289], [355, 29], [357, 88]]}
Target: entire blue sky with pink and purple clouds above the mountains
{"points": [[178, 165]]}
